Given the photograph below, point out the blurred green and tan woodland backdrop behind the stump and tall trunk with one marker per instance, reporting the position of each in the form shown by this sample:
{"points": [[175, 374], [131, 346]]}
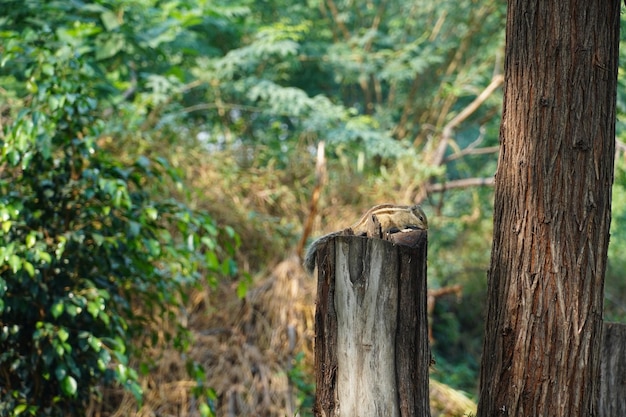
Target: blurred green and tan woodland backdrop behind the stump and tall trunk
{"points": [[159, 167]]}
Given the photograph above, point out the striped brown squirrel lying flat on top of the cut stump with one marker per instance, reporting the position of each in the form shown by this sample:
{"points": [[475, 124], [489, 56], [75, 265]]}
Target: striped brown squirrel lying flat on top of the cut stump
{"points": [[376, 222]]}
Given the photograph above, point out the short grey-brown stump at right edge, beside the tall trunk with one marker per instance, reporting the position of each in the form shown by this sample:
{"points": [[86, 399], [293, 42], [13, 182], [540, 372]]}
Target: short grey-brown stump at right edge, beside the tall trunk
{"points": [[612, 401]]}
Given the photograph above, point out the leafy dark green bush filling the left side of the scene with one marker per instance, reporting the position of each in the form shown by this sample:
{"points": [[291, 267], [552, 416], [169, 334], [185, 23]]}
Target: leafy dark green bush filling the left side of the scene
{"points": [[88, 255]]}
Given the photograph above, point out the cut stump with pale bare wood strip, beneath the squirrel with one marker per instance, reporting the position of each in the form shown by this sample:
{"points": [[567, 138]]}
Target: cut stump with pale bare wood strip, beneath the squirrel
{"points": [[371, 343]]}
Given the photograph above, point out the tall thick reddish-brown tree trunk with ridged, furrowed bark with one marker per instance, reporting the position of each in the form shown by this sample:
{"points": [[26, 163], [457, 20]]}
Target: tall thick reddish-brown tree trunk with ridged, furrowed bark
{"points": [[552, 210]]}
